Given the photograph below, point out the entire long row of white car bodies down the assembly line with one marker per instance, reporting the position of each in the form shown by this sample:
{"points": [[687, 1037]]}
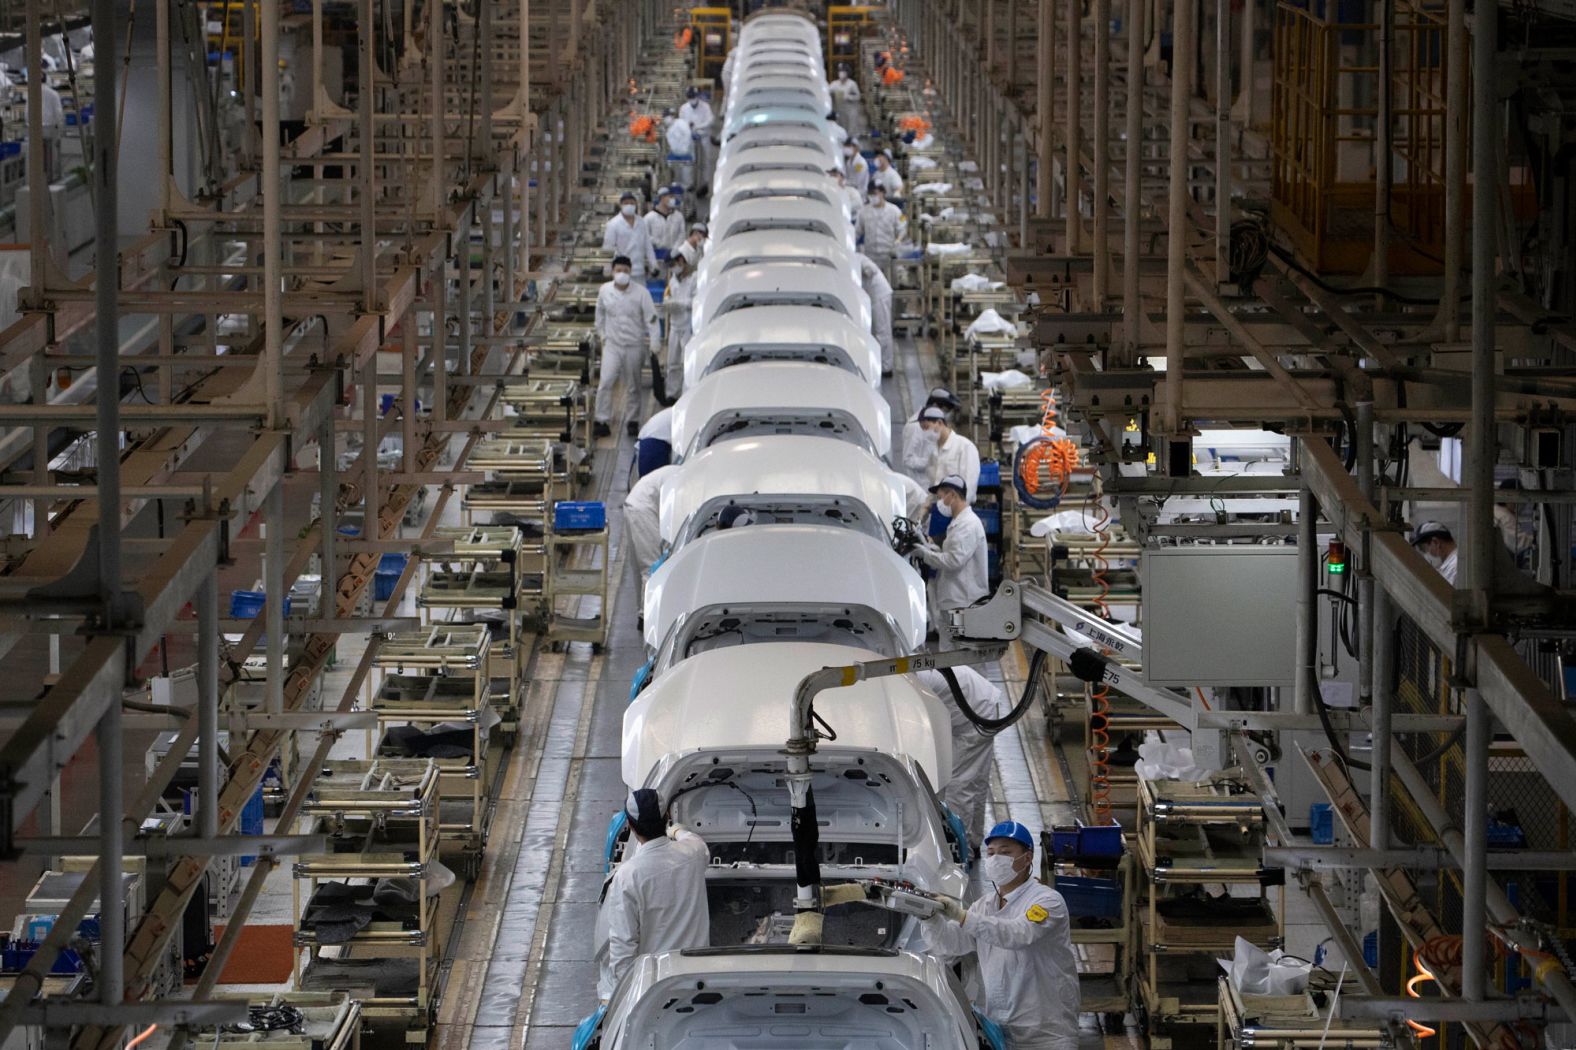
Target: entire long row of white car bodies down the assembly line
{"points": [[782, 417]]}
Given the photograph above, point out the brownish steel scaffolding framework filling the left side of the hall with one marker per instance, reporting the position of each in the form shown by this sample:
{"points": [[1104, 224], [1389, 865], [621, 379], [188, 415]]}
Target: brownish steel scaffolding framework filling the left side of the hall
{"points": [[406, 217]]}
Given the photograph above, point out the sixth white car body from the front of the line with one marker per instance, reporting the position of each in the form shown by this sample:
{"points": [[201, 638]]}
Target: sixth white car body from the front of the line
{"points": [[782, 333]]}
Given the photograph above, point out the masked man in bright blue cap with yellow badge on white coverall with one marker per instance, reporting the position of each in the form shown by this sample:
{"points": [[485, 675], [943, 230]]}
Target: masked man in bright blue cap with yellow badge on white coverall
{"points": [[1024, 940]]}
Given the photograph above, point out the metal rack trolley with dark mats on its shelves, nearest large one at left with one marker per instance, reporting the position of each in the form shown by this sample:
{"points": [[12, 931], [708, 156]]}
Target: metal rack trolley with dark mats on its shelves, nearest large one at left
{"points": [[382, 816]]}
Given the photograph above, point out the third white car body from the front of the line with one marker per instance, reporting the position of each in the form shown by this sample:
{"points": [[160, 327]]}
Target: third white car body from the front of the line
{"points": [[778, 570]]}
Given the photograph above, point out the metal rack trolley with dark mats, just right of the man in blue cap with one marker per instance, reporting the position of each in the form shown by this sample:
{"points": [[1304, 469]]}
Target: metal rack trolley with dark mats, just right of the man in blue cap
{"points": [[1192, 836]]}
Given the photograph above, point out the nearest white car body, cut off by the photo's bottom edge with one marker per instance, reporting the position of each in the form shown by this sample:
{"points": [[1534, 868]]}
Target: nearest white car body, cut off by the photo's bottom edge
{"points": [[742, 997]]}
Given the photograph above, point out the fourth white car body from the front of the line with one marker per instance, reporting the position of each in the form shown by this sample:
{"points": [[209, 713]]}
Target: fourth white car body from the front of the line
{"points": [[782, 478]]}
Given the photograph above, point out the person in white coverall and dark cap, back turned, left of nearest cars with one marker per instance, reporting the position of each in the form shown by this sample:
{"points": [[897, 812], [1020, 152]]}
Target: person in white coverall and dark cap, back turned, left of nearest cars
{"points": [[656, 901]]}
